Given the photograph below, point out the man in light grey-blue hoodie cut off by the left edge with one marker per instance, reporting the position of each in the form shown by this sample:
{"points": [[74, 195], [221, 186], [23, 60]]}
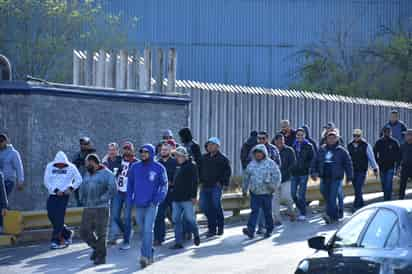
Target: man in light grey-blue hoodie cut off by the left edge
{"points": [[11, 167]]}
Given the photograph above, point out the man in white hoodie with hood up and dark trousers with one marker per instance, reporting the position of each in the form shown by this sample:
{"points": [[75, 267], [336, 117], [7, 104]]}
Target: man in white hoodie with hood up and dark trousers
{"points": [[61, 178]]}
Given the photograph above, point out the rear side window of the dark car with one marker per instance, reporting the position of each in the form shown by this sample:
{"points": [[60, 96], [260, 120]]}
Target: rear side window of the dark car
{"points": [[379, 229]]}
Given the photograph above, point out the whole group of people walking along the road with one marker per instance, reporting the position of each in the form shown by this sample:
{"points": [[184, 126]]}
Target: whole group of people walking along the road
{"points": [[163, 182]]}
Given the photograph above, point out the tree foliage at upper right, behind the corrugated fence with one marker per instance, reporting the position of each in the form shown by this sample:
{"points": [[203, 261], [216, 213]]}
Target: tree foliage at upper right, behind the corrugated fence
{"points": [[382, 69]]}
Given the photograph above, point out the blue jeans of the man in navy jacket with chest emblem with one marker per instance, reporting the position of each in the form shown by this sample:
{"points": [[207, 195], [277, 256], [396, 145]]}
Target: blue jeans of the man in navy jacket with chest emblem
{"points": [[330, 190]]}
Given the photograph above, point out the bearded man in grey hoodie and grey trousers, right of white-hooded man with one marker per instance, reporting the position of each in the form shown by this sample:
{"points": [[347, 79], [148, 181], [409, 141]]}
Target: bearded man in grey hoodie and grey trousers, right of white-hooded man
{"points": [[96, 192]]}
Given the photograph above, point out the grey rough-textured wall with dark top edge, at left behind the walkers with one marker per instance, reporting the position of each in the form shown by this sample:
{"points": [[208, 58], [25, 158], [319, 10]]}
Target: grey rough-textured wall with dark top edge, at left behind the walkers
{"points": [[42, 120]]}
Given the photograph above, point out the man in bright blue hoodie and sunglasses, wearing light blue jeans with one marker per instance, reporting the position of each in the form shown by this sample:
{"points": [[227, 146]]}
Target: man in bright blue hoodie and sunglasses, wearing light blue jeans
{"points": [[146, 189]]}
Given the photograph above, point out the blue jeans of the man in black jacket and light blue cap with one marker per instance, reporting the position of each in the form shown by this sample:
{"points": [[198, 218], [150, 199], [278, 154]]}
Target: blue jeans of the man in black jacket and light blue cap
{"points": [[211, 205]]}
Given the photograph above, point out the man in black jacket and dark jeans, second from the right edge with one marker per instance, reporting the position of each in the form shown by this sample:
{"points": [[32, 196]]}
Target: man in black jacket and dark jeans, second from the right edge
{"points": [[387, 153]]}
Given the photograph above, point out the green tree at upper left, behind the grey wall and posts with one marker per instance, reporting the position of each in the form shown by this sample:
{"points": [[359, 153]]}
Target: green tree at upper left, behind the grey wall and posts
{"points": [[38, 36]]}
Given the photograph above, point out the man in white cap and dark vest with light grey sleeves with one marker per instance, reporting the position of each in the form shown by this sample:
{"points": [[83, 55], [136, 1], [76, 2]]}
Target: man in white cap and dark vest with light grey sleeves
{"points": [[362, 157]]}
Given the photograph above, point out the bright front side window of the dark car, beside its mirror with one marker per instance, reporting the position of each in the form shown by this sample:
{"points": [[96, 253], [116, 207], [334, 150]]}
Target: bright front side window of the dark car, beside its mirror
{"points": [[350, 232]]}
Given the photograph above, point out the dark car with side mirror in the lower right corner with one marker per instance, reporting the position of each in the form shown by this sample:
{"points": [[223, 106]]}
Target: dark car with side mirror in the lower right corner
{"points": [[377, 239]]}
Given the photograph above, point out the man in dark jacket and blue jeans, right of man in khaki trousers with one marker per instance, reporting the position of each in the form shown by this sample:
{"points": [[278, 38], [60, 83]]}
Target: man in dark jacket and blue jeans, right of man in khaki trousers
{"points": [[300, 171]]}
